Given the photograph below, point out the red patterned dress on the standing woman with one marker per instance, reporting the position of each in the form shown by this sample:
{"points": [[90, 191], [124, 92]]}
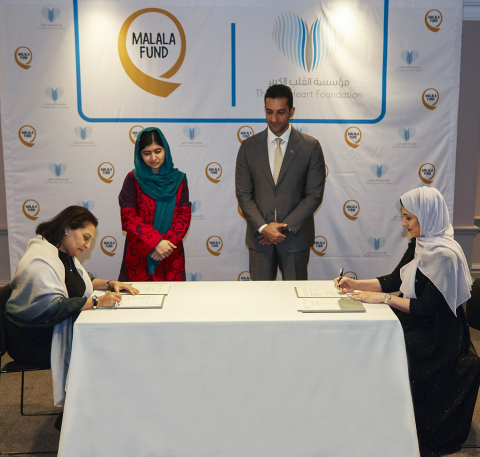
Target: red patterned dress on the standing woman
{"points": [[137, 211]]}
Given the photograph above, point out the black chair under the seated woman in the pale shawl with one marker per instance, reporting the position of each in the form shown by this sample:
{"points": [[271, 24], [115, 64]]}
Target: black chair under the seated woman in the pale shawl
{"points": [[15, 367]]}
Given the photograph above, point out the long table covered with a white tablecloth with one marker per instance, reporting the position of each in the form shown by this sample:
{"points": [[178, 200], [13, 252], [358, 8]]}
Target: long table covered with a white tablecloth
{"points": [[231, 369]]}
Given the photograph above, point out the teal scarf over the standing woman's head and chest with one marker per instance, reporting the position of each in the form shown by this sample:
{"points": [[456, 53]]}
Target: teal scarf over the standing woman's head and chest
{"points": [[162, 188]]}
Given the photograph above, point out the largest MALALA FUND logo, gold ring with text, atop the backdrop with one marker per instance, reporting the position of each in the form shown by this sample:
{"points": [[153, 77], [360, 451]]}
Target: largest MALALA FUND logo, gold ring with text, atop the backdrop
{"points": [[152, 41]]}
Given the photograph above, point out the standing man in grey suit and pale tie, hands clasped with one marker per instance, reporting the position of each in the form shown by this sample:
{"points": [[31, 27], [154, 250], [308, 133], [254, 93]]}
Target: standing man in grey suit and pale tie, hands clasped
{"points": [[279, 182]]}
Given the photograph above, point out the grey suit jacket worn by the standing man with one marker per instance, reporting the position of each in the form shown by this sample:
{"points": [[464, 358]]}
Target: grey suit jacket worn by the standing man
{"points": [[297, 195]]}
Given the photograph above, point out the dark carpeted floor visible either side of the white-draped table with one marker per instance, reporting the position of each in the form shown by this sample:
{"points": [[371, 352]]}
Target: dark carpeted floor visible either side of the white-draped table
{"points": [[20, 434]]}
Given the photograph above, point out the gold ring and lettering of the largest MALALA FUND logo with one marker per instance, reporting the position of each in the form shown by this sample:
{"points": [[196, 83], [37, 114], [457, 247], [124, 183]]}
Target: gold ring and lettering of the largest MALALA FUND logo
{"points": [[155, 43]]}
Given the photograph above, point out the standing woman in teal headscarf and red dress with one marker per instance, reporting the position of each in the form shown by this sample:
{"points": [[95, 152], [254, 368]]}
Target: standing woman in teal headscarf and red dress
{"points": [[155, 211]]}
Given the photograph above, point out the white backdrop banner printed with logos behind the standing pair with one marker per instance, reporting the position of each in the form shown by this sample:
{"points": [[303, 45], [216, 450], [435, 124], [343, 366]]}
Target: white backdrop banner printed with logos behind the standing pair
{"points": [[375, 81]]}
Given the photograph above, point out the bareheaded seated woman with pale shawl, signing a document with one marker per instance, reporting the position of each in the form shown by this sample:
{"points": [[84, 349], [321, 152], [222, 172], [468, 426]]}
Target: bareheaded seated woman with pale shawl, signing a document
{"points": [[49, 289]]}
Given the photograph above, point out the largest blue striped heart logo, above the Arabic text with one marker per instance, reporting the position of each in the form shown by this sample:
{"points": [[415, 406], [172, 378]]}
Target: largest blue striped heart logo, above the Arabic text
{"points": [[303, 47]]}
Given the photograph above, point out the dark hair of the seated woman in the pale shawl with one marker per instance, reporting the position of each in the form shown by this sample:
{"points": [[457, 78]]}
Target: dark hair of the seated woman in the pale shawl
{"points": [[74, 217]]}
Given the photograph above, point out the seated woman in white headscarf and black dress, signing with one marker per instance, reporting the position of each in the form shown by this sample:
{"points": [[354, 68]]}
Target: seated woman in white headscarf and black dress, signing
{"points": [[434, 280]]}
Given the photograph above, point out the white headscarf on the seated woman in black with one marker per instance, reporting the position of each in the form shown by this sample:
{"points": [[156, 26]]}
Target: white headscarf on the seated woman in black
{"points": [[437, 255]]}
